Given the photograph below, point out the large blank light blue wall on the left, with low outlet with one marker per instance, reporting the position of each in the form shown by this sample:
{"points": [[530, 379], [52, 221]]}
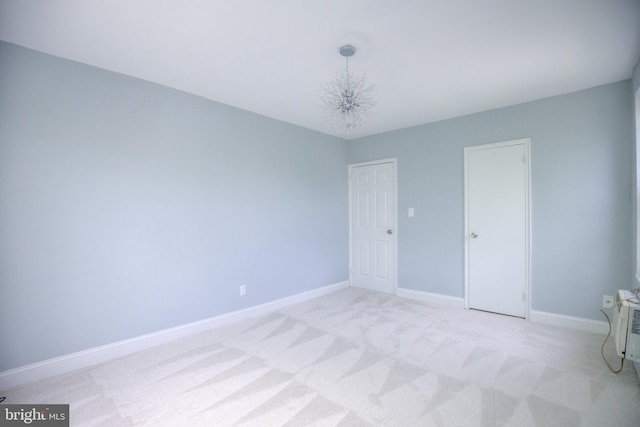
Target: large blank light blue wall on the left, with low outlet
{"points": [[127, 207]]}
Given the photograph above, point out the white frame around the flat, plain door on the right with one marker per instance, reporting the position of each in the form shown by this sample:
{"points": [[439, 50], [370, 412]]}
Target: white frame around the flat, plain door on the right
{"points": [[527, 162]]}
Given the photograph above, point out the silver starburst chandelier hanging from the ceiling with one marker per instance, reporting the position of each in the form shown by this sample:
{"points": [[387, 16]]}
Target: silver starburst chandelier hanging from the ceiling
{"points": [[348, 98]]}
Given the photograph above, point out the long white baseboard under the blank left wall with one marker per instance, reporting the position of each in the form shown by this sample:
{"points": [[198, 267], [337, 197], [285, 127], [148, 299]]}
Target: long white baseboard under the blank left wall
{"points": [[82, 359]]}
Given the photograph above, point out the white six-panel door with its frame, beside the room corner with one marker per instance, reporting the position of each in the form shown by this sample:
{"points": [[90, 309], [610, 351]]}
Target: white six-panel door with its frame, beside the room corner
{"points": [[373, 225]]}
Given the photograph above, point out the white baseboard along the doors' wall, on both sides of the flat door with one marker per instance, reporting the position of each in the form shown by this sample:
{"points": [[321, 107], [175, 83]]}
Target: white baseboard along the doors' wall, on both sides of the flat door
{"points": [[542, 317]]}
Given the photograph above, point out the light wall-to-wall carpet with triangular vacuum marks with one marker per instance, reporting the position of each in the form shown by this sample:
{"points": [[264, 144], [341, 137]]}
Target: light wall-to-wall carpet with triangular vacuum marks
{"points": [[356, 358]]}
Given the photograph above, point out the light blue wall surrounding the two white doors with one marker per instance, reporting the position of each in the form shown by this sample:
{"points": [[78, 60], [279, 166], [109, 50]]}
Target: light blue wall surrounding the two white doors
{"points": [[582, 154]]}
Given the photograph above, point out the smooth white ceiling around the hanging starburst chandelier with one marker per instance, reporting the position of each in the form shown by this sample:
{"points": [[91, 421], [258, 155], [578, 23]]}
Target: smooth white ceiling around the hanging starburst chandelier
{"points": [[429, 59]]}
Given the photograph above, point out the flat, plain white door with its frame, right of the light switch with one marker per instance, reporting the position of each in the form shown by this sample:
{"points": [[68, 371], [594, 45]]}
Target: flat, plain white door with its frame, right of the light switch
{"points": [[497, 227]]}
